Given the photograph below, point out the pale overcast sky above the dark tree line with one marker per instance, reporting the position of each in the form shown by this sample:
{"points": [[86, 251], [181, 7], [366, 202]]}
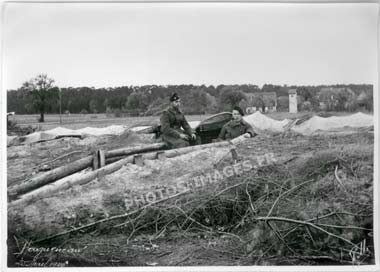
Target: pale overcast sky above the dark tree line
{"points": [[119, 44]]}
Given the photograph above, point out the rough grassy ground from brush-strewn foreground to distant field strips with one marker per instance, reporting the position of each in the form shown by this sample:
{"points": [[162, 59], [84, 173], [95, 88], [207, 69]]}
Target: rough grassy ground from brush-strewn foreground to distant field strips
{"points": [[310, 203]]}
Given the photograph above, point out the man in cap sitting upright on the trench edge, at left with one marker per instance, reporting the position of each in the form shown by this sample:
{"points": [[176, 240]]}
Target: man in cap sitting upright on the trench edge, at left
{"points": [[176, 131]]}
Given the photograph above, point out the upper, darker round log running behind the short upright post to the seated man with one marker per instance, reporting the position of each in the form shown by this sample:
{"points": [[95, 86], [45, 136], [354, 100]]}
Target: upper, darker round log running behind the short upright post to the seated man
{"points": [[76, 166]]}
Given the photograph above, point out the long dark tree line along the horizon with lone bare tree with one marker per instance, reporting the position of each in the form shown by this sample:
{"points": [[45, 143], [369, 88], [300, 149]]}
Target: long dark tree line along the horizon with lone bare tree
{"points": [[40, 95]]}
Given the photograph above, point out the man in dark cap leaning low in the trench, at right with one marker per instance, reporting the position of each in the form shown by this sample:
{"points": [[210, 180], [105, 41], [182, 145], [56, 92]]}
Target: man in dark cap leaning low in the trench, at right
{"points": [[236, 127]]}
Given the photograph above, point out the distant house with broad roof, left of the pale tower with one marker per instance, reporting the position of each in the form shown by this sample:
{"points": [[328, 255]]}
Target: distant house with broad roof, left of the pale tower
{"points": [[263, 102]]}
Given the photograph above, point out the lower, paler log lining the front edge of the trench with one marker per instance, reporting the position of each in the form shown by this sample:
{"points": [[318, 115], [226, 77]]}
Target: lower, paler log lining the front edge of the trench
{"points": [[108, 169]]}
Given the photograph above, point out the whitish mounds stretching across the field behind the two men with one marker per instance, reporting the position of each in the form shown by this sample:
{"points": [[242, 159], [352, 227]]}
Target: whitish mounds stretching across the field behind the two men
{"points": [[256, 119]]}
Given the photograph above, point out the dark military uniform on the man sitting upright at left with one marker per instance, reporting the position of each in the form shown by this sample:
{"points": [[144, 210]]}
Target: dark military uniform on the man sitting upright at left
{"points": [[173, 123]]}
